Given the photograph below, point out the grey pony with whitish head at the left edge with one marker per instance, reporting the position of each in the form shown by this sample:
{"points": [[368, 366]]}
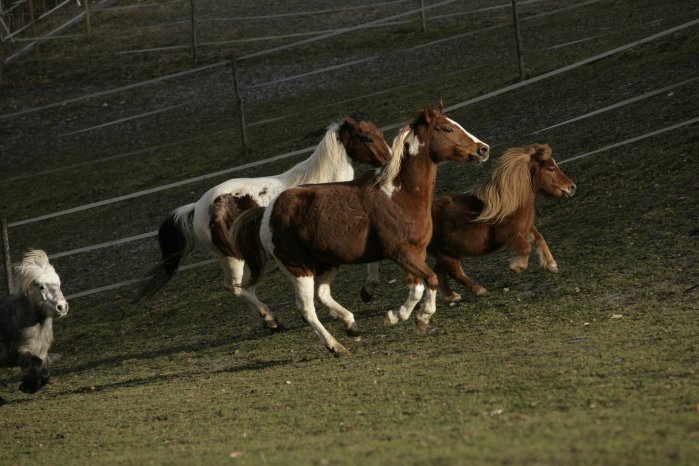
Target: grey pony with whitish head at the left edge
{"points": [[26, 319]]}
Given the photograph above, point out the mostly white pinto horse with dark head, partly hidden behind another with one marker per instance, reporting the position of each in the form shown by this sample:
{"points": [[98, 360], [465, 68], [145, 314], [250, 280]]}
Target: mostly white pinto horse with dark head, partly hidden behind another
{"points": [[209, 220]]}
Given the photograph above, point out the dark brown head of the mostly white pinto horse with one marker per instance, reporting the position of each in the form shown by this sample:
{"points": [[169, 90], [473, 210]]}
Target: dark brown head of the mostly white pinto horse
{"points": [[363, 141]]}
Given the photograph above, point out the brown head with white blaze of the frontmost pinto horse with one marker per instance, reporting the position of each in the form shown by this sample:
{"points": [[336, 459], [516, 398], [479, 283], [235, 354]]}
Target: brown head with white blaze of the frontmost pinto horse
{"points": [[449, 140]]}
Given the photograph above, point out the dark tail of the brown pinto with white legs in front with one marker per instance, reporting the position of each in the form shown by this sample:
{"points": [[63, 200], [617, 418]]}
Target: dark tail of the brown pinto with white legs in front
{"points": [[245, 233]]}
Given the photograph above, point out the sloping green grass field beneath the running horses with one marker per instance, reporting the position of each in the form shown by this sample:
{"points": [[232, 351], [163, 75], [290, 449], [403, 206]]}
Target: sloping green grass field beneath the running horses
{"points": [[594, 365]]}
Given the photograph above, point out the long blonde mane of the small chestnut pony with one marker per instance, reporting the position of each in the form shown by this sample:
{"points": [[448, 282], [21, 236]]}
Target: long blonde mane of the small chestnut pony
{"points": [[509, 187]]}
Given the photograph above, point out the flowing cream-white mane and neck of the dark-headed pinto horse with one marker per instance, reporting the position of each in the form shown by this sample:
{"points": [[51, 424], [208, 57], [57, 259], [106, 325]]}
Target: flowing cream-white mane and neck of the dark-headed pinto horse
{"points": [[329, 162]]}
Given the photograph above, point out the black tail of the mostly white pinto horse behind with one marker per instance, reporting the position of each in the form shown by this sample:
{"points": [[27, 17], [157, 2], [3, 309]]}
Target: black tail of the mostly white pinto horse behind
{"points": [[176, 238]]}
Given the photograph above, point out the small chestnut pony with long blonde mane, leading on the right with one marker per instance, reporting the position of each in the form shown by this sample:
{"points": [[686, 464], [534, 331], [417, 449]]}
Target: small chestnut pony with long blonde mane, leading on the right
{"points": [[497, 214]]}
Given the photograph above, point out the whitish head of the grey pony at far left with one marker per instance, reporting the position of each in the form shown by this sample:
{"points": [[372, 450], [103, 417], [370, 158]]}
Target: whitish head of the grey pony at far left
{"points": [[39, 282]]}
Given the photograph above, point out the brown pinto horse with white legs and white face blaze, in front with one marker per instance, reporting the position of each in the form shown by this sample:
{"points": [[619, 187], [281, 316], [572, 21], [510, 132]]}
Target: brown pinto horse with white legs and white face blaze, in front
{"points": [[311, 230]]}
